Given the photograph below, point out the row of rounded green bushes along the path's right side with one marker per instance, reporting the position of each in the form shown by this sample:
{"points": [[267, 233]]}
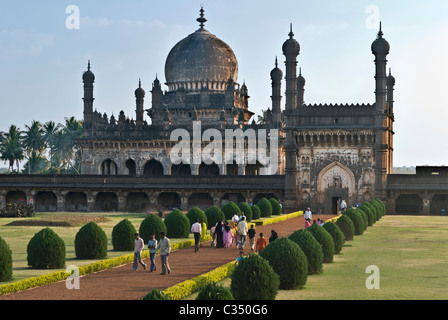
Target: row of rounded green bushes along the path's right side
{"points": [[287, 262]]}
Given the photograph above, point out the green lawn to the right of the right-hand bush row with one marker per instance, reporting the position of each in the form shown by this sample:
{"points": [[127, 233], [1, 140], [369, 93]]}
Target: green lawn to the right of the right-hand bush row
{"points": [[411, 253]]}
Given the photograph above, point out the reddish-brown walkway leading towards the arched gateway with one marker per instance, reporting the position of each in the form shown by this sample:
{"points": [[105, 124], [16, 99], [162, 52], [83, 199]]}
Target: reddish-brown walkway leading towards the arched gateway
{"points": [[121, 283]]}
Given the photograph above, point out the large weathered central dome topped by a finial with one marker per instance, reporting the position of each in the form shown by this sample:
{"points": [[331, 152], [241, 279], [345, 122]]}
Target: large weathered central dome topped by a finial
{"points": [[201, 60]]}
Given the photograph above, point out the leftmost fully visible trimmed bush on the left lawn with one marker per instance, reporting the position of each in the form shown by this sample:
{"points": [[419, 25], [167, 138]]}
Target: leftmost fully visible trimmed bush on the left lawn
{"points": [[46, 250]]}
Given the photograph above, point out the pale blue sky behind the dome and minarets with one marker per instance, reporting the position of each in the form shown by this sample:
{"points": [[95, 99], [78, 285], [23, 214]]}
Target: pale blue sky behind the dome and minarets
{"points": [[42, 62]]}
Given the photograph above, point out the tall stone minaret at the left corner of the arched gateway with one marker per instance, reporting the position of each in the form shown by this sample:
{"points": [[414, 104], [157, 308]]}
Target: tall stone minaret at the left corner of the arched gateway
{"points": [[291, 50]]}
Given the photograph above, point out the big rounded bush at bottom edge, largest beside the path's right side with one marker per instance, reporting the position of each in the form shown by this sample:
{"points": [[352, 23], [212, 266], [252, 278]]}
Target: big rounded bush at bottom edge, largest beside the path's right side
{"points": [[254, 279]]}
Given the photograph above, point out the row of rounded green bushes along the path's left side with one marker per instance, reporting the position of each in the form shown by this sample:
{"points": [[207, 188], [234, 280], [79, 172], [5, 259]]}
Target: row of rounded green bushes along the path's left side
{"points": [[46, 250]]}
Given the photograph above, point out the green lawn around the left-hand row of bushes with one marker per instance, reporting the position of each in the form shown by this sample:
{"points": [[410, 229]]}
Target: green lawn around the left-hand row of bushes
{"points": [[18, 237]]}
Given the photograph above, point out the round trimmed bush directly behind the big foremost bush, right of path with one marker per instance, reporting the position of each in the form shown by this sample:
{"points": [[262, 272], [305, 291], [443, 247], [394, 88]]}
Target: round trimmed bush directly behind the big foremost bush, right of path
{"points": [[288, 261]]}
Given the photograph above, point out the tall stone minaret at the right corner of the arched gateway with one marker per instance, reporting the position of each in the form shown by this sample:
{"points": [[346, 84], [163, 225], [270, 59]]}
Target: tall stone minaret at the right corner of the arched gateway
{"points": [[380, 48]]}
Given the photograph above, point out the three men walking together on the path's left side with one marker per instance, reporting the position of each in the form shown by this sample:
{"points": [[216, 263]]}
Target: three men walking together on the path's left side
{"points": [[163, 245]]}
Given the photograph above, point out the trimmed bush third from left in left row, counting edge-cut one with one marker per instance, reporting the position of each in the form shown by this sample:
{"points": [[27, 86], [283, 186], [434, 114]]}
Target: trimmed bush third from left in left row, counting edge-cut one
{"points": [[91, 242]]}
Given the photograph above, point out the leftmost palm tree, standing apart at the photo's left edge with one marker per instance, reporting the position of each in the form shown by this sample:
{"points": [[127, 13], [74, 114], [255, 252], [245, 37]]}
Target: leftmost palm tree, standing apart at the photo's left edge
{"points": [[11, 148]]}
